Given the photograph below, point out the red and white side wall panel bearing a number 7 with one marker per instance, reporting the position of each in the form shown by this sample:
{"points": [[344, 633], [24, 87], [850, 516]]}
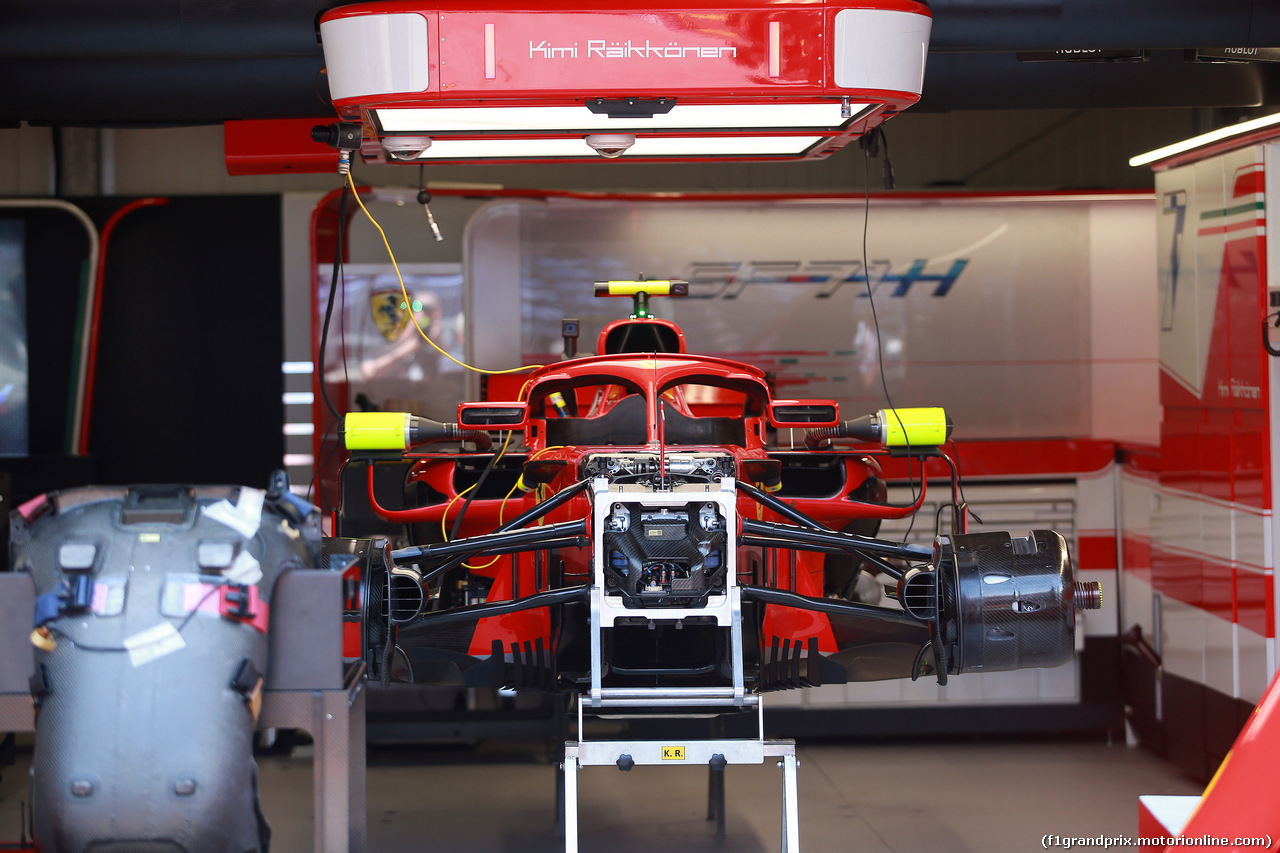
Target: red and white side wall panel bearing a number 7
{"points": [[1213, 507]]}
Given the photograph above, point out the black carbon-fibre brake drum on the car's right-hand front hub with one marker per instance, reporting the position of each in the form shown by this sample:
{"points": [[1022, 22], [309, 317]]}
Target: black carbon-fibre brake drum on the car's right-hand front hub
{"points": [[1007, 603]]}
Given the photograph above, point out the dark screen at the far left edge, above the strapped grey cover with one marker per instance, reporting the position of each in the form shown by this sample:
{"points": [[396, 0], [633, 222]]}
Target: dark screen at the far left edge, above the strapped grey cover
{"points": [[13, 341]]}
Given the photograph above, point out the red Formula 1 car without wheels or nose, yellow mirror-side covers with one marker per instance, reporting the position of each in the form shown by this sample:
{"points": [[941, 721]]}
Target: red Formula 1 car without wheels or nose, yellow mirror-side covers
{"points": [[628, 530]]}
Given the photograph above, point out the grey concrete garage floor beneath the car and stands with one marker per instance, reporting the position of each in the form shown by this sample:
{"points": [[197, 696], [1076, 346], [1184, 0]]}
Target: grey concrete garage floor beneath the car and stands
{"points": [[903, 797]]}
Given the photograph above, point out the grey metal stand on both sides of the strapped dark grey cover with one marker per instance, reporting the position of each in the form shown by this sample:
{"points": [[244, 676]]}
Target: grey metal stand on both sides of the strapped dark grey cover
{"points": [[307, 688]]}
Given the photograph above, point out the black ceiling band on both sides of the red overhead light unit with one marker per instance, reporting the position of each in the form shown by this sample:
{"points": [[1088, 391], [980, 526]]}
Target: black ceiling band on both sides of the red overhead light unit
{"points": [[193, 62]]}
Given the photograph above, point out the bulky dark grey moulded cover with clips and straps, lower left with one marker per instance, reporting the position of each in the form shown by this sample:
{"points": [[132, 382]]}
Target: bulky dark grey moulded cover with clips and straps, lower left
{"points": [[152, 617]]}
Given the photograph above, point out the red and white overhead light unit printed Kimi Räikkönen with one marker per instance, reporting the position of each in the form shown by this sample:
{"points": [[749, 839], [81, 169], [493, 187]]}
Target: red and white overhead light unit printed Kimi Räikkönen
{"points": [[758, 80]]}
